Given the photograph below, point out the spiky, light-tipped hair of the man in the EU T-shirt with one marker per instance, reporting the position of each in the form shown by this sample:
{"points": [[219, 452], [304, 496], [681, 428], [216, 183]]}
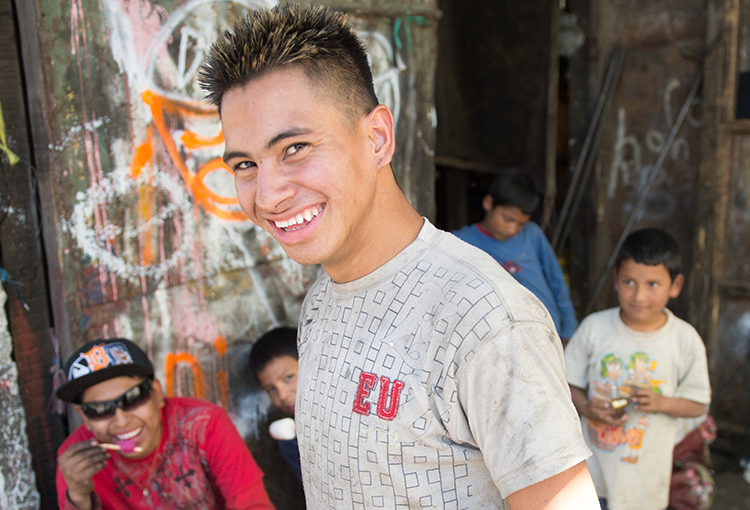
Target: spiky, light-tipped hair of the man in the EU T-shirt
{"points": [[317, 39]]}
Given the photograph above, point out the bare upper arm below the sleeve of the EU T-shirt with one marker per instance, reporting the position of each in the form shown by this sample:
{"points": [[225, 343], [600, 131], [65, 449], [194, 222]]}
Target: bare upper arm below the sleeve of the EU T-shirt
{"points": [[572, 489]]}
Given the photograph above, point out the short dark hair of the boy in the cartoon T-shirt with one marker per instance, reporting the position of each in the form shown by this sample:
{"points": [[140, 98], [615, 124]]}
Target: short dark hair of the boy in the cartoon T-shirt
{"points": [[651, 246]]}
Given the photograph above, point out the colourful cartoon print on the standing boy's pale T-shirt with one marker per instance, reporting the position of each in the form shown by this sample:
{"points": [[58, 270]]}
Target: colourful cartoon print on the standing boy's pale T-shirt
{"points": [[640, 370]]}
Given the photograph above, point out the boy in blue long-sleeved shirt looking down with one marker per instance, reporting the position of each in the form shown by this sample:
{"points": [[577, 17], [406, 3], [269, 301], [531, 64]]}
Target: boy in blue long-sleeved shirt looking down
{"points": [[520, 246]]}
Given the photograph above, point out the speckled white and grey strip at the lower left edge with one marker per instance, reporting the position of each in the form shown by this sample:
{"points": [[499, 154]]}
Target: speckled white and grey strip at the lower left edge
{"points": [[17, 480]]}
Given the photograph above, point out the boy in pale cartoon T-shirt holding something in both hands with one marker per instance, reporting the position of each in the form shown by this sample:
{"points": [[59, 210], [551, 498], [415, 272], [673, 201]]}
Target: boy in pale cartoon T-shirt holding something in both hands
{"points": [[634, 370]]}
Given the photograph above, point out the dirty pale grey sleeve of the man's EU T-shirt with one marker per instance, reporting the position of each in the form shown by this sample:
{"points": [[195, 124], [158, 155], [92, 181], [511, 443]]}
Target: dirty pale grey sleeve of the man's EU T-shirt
{"points": [[518, 407]]}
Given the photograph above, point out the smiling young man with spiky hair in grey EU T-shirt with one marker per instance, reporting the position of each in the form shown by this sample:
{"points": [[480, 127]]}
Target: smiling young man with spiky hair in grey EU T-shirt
{"points": [[428, 377]]}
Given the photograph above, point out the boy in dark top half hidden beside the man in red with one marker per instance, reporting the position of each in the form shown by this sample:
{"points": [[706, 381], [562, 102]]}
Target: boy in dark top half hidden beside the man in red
{"points": [[273, 364]]}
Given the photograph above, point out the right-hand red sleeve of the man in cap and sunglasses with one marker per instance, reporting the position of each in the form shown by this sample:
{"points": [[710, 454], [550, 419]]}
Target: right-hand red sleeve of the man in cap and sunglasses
{"points": [[237, 476]]}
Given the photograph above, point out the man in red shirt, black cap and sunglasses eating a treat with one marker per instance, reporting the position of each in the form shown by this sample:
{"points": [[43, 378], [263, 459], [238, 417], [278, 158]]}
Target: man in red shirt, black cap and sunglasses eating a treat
{"points": [[173, 452]]}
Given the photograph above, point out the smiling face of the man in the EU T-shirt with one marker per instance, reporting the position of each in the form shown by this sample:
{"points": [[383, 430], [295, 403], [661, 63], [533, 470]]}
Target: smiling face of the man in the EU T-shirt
{"points": [[304, 171]]}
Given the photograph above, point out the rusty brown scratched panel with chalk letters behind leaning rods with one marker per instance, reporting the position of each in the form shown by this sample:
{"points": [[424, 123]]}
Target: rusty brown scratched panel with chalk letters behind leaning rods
{"points": [[664, 42]]}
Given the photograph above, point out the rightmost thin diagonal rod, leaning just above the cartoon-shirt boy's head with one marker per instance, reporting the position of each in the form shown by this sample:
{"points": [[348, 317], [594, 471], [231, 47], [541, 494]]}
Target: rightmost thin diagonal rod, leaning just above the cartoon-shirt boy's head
{"points": [[646, 187]]}
